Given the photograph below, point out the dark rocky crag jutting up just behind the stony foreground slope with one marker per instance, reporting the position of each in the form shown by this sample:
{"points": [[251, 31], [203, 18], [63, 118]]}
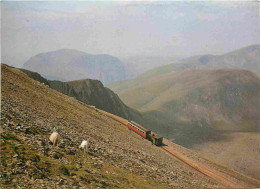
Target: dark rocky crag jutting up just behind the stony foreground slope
{"points": [[93, 93]]}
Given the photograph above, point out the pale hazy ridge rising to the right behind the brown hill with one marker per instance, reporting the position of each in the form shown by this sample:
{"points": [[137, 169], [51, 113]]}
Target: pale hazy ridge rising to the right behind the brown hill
{"points": [[245, 58]]}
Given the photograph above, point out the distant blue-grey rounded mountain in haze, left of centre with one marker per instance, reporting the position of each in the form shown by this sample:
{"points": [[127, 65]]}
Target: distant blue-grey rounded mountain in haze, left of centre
{"points": [[68, 64]]}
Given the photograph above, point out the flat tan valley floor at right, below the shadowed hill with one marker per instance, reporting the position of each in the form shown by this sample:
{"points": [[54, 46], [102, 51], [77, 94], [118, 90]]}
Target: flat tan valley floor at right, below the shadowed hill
{"points": [[241, 147]]}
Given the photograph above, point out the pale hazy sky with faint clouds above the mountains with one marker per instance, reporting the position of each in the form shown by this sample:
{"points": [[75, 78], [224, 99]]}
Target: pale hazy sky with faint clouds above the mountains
{"points": [[151, 28]]}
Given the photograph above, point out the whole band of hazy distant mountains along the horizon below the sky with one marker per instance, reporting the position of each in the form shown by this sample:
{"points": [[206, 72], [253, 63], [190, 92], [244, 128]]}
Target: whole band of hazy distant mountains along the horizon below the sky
{"points": [[69, 64]]}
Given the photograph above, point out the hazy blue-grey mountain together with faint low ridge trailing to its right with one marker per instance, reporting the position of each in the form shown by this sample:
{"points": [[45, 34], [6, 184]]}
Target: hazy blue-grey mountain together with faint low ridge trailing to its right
{"points": [[69, 64]]}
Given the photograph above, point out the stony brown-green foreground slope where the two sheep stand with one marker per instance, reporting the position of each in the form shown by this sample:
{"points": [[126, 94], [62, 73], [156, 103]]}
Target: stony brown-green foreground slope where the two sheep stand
{"points": [[117, 157]]}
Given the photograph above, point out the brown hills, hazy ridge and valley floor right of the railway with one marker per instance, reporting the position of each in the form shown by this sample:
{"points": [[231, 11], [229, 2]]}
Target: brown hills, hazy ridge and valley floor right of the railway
{"points": [[203, 106]]}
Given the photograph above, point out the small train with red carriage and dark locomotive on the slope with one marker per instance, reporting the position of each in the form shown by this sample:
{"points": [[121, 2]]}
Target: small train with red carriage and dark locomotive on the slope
{"points": [[147, 134]]}
